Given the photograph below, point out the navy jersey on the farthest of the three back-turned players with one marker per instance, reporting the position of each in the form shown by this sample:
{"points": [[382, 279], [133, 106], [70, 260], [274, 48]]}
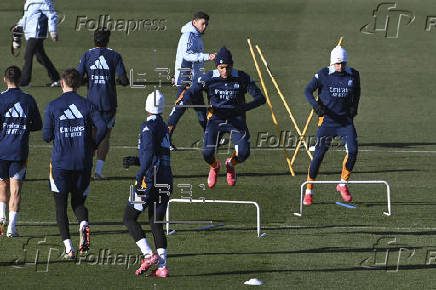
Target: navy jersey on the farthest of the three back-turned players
{"points": [[101, 64]]}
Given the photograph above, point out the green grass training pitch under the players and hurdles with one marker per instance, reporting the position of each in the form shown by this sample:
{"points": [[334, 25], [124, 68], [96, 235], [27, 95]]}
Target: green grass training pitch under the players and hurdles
{"points": [[330, 246]]}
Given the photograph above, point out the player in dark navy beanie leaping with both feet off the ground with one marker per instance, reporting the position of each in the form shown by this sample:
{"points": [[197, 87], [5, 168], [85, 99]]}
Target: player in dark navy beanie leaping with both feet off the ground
{"points": [[226, 88]]}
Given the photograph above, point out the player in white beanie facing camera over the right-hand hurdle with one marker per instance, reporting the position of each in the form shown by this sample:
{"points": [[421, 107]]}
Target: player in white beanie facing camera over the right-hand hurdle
{"points": [[339, 92]]}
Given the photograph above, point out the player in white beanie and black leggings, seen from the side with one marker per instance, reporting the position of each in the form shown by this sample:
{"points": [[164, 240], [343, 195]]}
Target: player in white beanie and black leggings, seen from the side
{"points": [[154, 172]]}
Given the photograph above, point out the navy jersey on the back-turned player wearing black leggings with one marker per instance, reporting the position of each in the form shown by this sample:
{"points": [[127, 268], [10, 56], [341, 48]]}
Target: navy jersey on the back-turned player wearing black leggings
{"points": [[68, 121]]}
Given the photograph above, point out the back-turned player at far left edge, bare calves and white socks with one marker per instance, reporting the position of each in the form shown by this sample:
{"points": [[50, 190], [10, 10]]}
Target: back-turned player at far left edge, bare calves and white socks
{"points": [[19, 115]]}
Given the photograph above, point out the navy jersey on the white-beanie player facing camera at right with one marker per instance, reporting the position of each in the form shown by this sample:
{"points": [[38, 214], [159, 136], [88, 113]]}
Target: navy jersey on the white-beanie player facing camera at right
{"points": [[337, 91]]}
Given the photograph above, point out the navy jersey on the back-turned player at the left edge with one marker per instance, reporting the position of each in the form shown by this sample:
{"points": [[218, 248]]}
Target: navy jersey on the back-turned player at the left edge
{"points": [[19, 115]]}
